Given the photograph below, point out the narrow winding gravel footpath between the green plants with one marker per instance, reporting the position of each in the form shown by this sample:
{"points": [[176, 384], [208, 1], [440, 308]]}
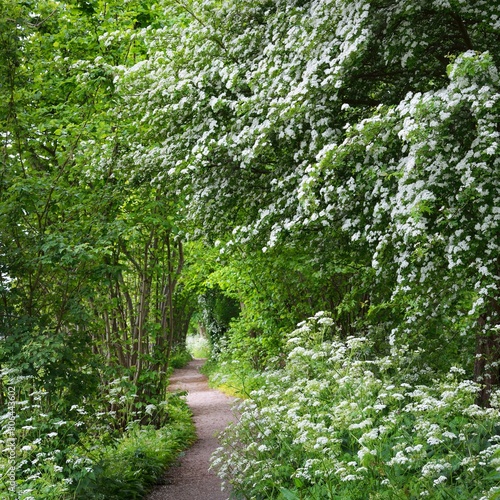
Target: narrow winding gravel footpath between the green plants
{"points": [[191, 479]]}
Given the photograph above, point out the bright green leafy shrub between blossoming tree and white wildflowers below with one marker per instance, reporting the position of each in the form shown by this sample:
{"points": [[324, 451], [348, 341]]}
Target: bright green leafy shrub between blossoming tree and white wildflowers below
{"points": [[281, 287]]}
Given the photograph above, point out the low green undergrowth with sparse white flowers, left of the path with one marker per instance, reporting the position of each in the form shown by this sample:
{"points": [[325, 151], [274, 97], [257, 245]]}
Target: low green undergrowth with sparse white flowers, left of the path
{"points": [[85, 454]]}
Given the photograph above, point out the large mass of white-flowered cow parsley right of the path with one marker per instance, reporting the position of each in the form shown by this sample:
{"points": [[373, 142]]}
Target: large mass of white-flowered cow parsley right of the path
{"points": [[339, 421]]}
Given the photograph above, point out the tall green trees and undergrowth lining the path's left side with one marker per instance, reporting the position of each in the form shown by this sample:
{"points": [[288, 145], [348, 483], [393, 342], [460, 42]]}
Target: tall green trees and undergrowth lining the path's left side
{"points": [[92, 311]]}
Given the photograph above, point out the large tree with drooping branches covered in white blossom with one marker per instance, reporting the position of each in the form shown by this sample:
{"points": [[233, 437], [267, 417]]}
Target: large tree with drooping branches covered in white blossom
{"points": [[370, 125]]}
